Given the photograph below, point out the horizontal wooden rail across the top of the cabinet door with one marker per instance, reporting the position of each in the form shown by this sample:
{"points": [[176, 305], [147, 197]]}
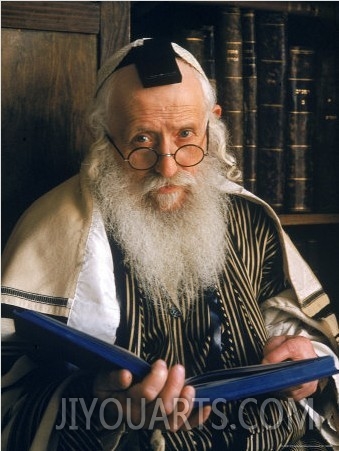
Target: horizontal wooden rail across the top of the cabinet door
{"points": [[73, 17]]}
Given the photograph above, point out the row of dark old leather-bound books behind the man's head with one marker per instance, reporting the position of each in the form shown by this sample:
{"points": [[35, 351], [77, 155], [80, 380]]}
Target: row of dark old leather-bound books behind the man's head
{"points": [[282, 113]]}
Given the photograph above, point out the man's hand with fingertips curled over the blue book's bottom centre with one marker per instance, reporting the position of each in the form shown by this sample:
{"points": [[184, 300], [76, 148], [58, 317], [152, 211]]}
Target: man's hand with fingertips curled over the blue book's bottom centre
{"points": [[160, 400]]}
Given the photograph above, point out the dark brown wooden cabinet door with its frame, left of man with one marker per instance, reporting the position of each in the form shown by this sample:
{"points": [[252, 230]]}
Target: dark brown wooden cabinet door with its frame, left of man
{"points": [[50, 55]]}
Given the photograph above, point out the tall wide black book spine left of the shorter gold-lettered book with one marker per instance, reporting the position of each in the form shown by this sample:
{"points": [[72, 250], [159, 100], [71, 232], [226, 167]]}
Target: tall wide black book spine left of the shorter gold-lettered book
{"points": [[271, 38]]}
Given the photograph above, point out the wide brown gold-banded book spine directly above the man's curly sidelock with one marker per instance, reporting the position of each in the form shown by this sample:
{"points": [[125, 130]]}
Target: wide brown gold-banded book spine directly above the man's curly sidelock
{"points": [[228, 54]]}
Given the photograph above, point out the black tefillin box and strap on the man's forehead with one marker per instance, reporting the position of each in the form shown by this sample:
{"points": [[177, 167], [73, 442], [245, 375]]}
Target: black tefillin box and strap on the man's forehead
{"points": [[155, 62]]}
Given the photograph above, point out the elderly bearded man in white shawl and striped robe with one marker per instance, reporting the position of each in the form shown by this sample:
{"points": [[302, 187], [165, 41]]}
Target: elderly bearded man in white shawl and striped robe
{"points": [[154, 247]]}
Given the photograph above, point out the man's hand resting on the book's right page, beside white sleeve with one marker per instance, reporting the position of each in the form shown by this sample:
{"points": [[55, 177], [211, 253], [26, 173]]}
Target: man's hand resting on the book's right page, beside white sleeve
{"points": [[291, 347]]}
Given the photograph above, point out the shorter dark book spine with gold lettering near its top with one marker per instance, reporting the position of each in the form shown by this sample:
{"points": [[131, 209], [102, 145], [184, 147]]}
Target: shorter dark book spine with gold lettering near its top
{"points": [[300, 126]]}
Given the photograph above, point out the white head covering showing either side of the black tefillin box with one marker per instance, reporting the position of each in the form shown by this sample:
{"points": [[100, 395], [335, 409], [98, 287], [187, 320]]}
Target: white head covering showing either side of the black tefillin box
{"points": [[113, 62]]}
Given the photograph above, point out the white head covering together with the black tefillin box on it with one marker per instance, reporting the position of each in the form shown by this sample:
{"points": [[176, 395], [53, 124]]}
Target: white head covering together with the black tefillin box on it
{"points": [[154, 59]]}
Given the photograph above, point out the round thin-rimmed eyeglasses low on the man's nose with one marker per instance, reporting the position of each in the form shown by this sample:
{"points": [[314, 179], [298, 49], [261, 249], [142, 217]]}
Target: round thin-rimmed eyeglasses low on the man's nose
{"points": [[145, 158]]}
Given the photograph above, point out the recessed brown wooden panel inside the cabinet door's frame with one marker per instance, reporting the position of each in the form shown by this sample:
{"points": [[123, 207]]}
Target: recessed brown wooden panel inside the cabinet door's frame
{"points": [[47, 81]]}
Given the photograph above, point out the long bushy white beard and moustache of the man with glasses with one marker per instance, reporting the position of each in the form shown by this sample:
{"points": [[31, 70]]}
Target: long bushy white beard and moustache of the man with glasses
{"points": [[174, 254]]}
